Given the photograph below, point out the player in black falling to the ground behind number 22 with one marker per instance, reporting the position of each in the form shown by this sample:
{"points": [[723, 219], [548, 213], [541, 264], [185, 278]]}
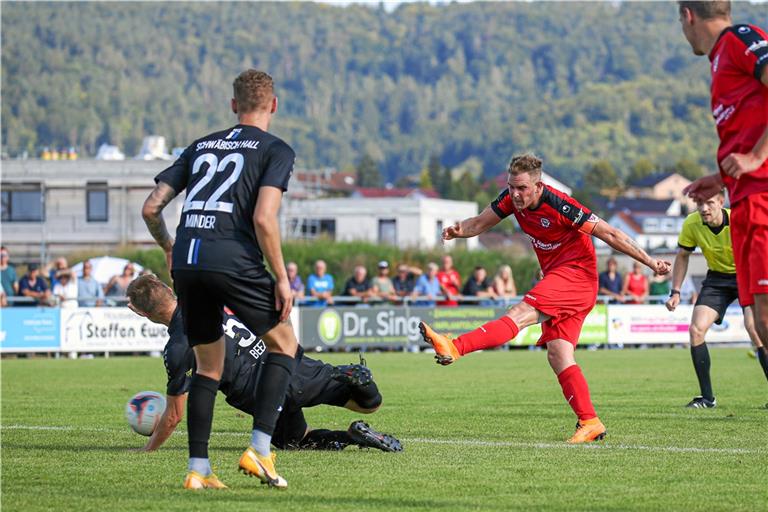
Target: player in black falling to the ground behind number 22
{"points": [[313, 383]]}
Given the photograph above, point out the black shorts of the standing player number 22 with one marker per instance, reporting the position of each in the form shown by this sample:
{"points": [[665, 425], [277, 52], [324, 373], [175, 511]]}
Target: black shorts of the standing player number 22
{"points": [[203, 294]]}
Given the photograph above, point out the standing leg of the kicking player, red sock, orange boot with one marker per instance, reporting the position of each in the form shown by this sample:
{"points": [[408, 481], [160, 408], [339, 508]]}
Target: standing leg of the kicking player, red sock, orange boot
{"points": [[560, 354]]}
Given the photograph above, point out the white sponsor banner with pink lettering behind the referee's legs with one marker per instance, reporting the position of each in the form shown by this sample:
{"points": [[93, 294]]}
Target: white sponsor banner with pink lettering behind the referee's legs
{"points": [[654, 324]]}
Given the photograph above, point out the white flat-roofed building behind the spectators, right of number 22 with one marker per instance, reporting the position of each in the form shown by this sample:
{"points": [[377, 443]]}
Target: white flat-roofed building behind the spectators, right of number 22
{"points": [[414, 221]]}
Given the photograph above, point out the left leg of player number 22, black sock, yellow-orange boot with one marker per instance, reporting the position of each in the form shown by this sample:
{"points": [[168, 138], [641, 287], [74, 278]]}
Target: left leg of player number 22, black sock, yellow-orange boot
{"points": [[209, 360]]}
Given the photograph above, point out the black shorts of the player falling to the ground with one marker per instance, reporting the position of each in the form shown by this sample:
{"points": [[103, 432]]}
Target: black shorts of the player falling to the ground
{"points": [[312, 384]]}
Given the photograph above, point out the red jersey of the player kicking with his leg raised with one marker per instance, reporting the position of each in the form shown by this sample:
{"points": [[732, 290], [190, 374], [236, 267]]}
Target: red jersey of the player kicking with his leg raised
{"points": [[558, 227]]}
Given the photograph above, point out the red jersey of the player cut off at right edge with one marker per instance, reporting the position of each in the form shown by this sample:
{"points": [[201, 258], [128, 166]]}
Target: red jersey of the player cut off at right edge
{"points": [[740, 101]]}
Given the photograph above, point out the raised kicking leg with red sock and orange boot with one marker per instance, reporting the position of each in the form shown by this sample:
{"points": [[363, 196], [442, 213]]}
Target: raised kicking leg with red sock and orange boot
{"points": [[492, 334]]}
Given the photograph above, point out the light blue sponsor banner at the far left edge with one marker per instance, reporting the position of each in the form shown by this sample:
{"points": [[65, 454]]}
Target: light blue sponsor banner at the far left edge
{"points": [[29, 329]]}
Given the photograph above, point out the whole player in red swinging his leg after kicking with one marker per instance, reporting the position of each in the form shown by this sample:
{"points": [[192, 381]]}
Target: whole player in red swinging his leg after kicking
{"points": [[559, 229]]}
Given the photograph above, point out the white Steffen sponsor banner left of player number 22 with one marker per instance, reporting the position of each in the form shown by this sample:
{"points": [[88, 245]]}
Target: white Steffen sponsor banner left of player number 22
{"points": [[109, 330]]}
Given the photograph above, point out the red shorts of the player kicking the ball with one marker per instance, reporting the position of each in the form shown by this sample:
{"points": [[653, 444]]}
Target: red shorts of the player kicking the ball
{"points": [[566, 295]]}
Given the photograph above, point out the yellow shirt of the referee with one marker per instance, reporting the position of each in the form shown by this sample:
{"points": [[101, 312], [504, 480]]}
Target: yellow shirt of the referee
{"points": [[715, 243]]}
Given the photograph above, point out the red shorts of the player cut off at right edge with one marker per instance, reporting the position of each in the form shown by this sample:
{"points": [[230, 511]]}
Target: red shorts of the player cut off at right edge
{"points": [[749, 234]]}
